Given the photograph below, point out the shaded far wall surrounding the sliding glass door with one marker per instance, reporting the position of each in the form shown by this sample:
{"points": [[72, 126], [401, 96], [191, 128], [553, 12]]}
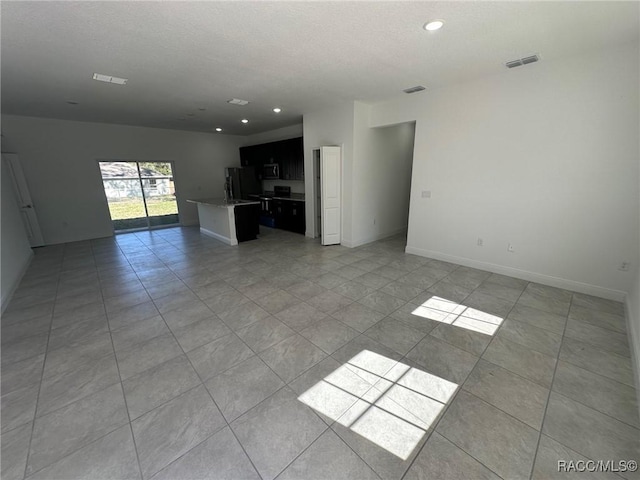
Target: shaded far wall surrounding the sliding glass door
{"points": [[60, 163]]}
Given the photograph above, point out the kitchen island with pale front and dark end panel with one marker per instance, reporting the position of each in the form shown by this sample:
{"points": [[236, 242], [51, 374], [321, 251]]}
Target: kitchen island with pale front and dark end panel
{"points": [[230, 221]]}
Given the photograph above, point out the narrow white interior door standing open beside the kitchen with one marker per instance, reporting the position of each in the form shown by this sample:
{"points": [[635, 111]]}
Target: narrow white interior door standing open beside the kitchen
{"points": [[331, 201]]}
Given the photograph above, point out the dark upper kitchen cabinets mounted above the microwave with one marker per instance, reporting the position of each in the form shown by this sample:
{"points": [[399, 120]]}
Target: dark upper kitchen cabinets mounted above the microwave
{"points": [[288, 154]]}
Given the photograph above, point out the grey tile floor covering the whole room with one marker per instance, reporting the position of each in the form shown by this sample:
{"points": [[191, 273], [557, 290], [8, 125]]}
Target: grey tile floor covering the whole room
{"points": [[169, 355]]}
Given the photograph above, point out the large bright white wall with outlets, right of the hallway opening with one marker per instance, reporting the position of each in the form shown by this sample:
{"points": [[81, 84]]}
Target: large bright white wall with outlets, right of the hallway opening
{"points": [[544, 157]]}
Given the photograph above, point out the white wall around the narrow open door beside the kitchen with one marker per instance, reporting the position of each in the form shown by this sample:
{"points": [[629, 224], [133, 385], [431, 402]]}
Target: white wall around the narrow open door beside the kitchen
{"points": [[333, 126]]}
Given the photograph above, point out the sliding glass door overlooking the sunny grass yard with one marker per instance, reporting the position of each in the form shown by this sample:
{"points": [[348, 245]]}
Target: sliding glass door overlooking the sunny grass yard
{"points": [[140, 195]]}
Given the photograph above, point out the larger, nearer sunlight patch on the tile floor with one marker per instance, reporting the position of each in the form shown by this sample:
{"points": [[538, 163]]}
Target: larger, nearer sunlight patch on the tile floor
{"points": [[387, 402]]}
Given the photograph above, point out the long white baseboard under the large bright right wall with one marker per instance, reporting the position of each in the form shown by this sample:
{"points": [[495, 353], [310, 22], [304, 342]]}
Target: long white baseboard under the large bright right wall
{"points": [[552, 281]]}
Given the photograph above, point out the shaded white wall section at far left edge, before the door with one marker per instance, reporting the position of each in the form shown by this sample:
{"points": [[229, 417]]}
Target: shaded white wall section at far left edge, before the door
{"points": [[14, 244]]}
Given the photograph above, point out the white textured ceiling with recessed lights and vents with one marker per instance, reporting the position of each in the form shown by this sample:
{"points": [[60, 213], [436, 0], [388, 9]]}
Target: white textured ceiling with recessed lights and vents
{"points": [[302, 56]]}
